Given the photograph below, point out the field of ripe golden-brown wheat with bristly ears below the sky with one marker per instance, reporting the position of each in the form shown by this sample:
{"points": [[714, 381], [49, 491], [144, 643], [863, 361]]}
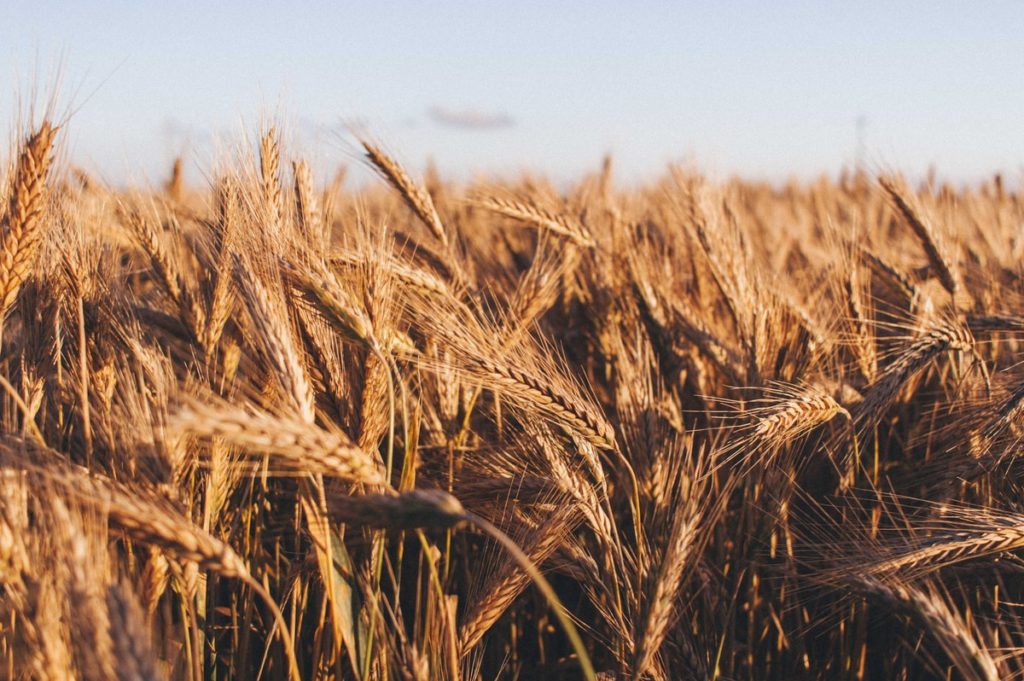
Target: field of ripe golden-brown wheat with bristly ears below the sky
{"points": [[266, 427]]}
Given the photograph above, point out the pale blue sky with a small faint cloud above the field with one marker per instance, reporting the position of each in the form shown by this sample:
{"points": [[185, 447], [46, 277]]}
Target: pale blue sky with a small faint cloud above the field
{"points": [[769, 90]]}
